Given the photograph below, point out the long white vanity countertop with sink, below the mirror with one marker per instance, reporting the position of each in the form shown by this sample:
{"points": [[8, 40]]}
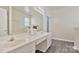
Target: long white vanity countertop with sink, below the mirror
{"points": [[20, 40]]}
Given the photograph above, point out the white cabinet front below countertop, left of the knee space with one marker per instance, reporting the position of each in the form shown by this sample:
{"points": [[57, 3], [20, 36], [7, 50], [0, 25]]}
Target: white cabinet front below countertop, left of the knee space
{"points": [[27, 48]]}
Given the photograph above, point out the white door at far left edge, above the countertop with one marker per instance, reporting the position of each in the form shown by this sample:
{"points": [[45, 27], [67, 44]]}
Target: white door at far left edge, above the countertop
{"points": [[3, 22]]}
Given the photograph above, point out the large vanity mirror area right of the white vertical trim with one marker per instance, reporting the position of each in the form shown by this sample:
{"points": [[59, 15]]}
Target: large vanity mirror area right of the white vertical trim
{"points": [[21, 20]]}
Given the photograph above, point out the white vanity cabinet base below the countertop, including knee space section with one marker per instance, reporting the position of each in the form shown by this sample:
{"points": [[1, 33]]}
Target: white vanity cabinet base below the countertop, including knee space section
{"points": [[42, 43]]}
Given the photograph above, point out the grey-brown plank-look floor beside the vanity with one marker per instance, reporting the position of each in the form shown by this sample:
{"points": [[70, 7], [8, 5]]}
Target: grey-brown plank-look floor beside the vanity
{"points": [[60, 47]]}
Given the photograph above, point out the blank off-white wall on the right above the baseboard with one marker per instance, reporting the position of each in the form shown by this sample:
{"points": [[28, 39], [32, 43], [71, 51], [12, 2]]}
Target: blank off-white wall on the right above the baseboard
{"points": [[64, 22]]}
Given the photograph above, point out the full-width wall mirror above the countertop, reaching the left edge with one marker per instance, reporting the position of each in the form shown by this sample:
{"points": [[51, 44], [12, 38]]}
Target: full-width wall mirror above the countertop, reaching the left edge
{"points": [[20, 20]]}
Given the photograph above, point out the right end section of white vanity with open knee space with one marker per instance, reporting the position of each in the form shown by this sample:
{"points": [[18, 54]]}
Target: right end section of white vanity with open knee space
{"points": [[43, 43]]}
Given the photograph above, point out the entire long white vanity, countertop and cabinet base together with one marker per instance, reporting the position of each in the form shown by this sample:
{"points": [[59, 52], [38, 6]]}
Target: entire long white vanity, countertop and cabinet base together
{"points": [[25, 43]]}
